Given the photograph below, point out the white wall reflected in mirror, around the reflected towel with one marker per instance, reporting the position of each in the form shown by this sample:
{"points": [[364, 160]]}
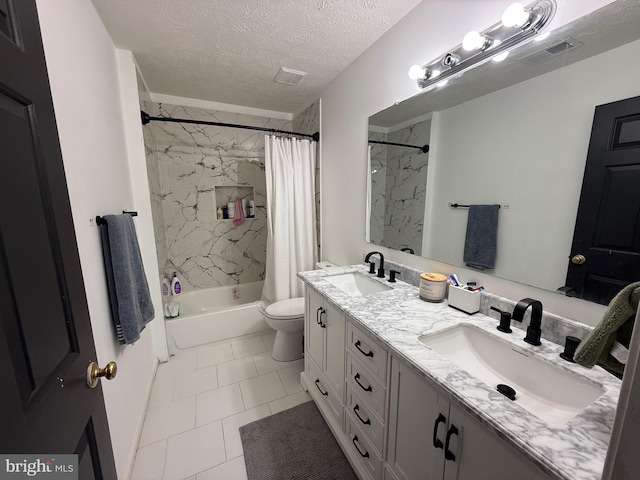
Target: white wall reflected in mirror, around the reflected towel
{"points": [[524, 146]]}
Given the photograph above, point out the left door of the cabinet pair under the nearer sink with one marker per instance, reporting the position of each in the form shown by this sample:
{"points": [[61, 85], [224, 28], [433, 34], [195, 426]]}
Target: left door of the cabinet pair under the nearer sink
{"points": [[417, 427]]}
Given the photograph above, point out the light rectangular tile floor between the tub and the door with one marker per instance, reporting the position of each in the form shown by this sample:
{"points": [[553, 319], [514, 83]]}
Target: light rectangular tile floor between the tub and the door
{"points": [[199, 400]]}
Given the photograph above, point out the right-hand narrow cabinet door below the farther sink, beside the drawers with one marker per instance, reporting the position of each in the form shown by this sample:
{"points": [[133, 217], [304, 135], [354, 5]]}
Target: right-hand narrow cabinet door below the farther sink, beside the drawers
{"points": [[335, 347]]}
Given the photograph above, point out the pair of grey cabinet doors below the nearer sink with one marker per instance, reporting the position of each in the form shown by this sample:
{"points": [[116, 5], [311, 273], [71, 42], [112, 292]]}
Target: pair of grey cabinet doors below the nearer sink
{"points": [[431, 439]]}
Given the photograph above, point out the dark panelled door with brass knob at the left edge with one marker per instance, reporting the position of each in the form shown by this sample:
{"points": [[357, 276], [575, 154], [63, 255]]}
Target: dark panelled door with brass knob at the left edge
{"points": [[46, 343]]}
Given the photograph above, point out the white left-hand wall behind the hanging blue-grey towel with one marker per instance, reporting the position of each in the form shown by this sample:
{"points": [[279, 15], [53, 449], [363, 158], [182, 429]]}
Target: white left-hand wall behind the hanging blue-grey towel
{"points": [[83, 73]]}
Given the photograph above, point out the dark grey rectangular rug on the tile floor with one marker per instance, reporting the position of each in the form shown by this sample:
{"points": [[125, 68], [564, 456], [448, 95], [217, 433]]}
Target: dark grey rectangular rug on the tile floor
{"points": [[293, 444]]}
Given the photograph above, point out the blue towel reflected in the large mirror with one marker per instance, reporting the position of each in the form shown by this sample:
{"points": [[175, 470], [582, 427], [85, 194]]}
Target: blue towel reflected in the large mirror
{"points": [[481, 240]]}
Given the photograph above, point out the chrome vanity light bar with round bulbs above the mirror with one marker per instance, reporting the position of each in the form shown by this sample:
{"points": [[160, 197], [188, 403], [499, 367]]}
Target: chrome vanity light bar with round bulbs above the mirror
{"points": [[519, 25]]}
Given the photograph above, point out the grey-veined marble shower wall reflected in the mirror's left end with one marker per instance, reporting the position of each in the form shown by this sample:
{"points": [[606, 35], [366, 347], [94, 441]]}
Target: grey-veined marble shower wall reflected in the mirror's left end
{"points": [[398, 180]]}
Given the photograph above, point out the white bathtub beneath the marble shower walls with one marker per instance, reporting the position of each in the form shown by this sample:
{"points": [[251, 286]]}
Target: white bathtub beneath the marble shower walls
{"points": [[215, 314]]}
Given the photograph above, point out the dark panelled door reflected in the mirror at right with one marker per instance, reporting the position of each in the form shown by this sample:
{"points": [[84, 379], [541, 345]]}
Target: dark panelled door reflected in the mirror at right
{"points": [[605, 255]]}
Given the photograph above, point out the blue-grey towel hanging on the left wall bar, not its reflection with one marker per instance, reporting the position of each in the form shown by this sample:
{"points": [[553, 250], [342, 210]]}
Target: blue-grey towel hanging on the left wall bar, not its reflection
{"points": [[131, 307]]}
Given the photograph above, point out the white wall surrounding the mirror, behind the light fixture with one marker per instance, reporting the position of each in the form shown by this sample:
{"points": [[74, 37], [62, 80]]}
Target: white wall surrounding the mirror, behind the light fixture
{"points": [[377, 79]]}
